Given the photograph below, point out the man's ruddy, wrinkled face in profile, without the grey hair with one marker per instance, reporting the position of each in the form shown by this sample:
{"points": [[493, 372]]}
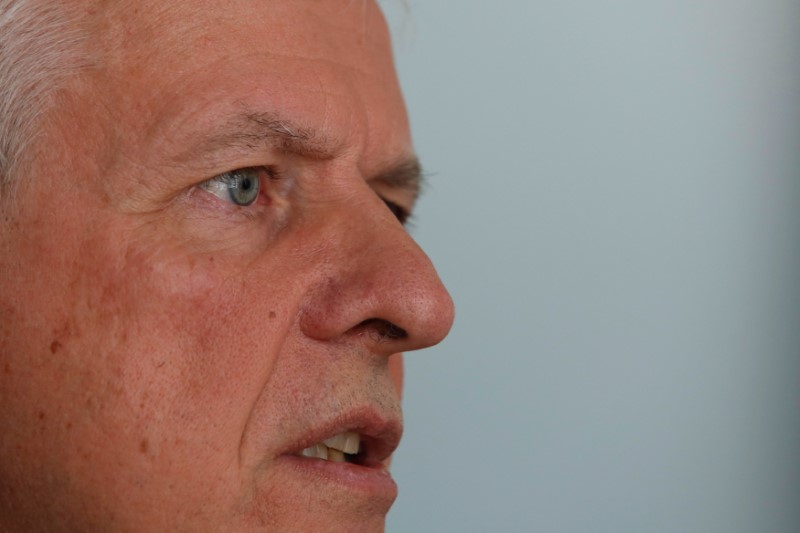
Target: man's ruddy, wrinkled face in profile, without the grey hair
{"points": [[173, 337]]}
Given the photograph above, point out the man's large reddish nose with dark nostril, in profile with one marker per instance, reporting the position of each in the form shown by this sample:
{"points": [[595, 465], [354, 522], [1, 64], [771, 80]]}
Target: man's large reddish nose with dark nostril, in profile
{"points": [[375, 285]]}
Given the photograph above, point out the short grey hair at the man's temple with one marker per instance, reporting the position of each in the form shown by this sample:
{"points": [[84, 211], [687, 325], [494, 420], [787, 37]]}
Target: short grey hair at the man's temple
{"points": [[40, 47]]}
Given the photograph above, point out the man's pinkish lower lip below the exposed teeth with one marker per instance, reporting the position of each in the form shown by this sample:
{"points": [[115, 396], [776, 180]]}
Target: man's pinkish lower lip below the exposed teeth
{"points": [[373, 482]]}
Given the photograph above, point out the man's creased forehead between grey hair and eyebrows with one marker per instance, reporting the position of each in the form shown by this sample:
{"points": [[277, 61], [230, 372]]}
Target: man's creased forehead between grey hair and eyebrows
{"points": [[170, 67]]}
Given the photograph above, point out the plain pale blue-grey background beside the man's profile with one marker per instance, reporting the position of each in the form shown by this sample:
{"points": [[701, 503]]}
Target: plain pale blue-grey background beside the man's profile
{"points": [[615, 206]]}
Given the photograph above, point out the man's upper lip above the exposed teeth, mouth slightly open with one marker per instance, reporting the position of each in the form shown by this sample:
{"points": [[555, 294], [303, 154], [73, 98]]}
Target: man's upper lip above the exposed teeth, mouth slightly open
{"points": [[380, 434]]}
